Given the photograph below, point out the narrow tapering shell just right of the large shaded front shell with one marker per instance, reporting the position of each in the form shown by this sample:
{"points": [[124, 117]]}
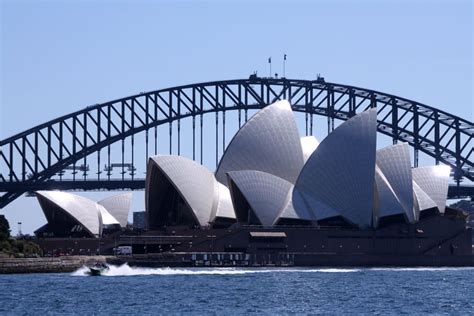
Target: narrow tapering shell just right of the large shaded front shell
{"points": [[394, 162]]}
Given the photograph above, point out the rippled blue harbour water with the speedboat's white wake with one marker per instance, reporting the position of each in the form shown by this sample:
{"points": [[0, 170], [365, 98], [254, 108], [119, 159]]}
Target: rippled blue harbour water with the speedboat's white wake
{"points": [[126, 290]]}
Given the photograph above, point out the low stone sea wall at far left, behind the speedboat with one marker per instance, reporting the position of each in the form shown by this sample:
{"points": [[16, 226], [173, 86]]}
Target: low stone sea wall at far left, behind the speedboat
{"points": [[46, 265]]}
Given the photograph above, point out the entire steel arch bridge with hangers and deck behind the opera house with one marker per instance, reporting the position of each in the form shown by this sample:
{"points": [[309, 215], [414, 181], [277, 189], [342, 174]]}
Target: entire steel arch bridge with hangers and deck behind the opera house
{"points": [[105, 146]]}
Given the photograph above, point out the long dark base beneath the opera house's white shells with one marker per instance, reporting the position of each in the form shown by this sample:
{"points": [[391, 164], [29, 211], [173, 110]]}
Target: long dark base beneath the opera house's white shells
{"points": [[436, 240]]}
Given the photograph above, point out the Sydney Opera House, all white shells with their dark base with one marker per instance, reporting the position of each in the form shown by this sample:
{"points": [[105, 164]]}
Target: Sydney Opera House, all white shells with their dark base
{"points": [[278, 194]]}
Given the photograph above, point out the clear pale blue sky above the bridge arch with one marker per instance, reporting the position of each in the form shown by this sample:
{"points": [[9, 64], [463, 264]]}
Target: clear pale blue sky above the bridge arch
{"points": [[59, 56]]}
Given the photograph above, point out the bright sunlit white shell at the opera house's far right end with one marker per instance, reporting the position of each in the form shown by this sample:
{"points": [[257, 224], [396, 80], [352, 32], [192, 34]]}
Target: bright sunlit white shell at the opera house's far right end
{"points": [[434, 181]]}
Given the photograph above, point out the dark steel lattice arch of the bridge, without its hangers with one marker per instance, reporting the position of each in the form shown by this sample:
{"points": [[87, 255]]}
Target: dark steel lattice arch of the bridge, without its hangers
{"points": [[29, 159]]}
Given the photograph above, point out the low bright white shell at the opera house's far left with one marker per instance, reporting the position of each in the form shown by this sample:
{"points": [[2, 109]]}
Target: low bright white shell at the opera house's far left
{"points": [[85, 211]]}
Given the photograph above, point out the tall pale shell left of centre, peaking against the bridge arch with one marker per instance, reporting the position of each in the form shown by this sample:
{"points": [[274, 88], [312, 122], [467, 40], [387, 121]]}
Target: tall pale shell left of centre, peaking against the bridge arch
{"points": [[268, 142]]}
